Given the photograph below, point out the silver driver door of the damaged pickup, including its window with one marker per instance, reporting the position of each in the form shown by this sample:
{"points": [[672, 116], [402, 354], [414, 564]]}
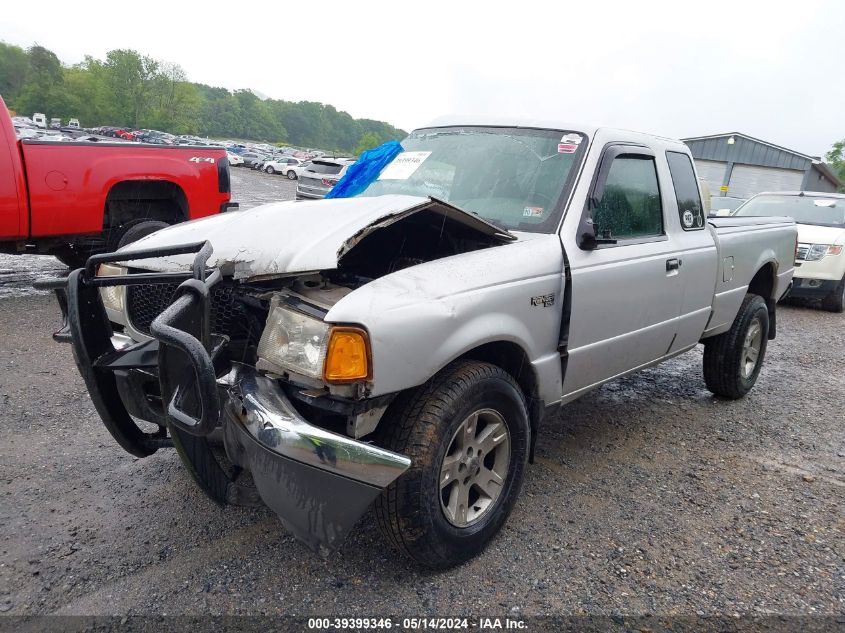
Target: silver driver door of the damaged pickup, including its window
{"points": [[625, 291]]}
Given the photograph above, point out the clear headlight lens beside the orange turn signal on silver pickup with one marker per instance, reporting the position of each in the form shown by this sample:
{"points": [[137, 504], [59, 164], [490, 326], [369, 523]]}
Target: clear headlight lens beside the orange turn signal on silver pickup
{"points": [[292, 341]]}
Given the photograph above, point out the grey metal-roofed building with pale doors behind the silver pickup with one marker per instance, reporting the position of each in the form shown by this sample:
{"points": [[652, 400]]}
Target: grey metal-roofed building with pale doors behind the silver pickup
{"points": [[738, 165]]}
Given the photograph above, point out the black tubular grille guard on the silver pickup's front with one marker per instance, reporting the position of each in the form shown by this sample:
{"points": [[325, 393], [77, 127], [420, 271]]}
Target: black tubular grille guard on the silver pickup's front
{"points": [[186, 350]]}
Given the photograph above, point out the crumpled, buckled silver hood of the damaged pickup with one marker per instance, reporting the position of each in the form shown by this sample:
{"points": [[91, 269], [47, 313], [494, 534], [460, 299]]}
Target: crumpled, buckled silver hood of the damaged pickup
{"points": [[293, 237]]}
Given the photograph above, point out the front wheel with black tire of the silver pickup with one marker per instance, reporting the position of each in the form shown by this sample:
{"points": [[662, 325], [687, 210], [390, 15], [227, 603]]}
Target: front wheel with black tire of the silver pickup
{"points": [[467, 434]]}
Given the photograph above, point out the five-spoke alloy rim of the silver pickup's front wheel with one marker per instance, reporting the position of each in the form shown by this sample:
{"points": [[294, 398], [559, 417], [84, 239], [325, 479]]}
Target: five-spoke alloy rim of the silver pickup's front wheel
{"points": [[475, 468]]}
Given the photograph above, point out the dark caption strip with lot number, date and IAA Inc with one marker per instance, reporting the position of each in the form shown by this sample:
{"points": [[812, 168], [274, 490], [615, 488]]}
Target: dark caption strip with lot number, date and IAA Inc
{"points": [[484, 623]]}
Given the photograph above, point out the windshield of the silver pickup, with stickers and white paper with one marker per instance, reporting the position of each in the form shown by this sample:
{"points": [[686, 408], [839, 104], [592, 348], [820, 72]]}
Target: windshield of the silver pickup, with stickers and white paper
{"points": [[512, 177]]}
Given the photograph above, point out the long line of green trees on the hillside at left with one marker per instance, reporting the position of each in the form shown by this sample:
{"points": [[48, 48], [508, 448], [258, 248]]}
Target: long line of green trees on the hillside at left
{"points": [[128, 88]]}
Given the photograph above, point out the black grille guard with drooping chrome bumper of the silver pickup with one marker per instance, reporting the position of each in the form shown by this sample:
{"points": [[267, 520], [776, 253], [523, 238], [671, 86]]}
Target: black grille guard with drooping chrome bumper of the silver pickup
{"points": [[319, 482]]}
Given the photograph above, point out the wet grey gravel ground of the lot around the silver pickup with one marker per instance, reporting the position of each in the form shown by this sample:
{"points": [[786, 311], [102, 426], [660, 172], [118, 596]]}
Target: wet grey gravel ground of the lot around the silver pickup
{"points": [[648, 496]]}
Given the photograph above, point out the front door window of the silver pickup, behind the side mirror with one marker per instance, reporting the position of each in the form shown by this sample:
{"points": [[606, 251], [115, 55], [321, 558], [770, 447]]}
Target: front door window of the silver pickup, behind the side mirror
{"points": [[630, 206]]}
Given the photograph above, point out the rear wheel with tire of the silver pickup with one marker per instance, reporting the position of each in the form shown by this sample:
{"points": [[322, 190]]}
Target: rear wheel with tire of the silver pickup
{"points": [[732, 360]]}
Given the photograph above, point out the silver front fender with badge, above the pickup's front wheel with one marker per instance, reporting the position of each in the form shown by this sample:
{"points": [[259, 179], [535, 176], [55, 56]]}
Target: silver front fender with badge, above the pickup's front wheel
{"points": [[421, 318]]}
